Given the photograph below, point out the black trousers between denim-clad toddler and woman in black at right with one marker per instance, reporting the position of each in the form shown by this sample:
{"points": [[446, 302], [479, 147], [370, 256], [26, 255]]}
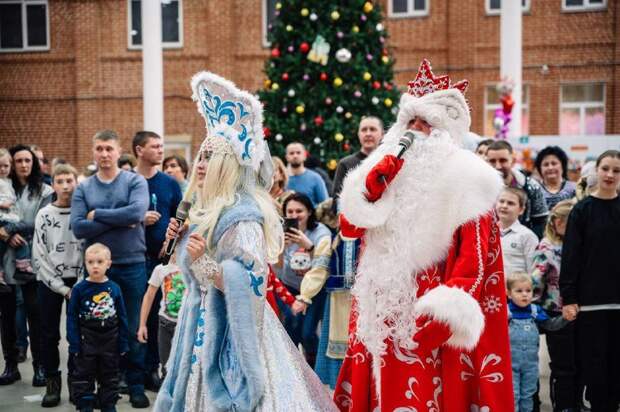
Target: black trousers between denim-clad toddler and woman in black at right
{"points": [[564, 384]]}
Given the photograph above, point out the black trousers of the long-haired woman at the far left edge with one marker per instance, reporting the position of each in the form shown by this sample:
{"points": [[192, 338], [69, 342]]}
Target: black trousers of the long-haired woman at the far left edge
{"points": [[8, 334]]}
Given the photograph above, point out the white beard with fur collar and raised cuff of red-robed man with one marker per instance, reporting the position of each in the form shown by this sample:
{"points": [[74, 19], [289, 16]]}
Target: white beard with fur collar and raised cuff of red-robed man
{"points": [[439, 188]]}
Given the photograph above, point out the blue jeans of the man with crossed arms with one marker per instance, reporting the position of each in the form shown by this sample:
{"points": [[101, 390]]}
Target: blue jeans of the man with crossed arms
{"points": [[132, 280]]}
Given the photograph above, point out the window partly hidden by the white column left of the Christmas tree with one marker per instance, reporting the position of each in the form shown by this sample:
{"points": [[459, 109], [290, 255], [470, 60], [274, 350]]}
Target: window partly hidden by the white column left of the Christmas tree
{"points": [[171, 24]]}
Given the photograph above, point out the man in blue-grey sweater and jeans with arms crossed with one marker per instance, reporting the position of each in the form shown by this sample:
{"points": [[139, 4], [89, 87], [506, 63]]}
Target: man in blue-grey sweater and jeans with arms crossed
{"points": [[109, 208]]}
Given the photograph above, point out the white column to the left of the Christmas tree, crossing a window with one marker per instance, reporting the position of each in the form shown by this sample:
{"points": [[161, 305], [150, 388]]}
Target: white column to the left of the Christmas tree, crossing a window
{"points": [[152, 67]]}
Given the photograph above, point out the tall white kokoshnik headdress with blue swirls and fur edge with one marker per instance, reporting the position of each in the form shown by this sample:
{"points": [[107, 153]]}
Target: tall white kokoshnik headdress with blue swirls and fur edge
{"points": [[233, 115]]}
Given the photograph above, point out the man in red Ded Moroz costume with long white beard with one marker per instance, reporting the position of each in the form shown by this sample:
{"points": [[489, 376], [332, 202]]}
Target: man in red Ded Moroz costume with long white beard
{"points": [[429, 327]]}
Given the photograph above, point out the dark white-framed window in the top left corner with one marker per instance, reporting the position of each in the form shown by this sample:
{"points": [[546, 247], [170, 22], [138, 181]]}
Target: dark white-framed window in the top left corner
{"points": [[24, 25]]}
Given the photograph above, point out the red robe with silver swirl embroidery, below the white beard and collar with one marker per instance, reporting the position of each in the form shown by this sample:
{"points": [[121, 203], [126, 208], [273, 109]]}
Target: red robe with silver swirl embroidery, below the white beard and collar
{"points": [[445, 379]]}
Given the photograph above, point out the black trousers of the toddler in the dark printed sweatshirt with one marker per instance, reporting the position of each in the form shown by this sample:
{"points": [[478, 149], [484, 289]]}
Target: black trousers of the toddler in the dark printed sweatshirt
{"points": [[98, 360]]}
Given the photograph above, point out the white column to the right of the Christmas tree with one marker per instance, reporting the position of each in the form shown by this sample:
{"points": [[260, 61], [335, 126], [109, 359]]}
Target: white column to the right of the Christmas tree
{"points": [[511, 57]]}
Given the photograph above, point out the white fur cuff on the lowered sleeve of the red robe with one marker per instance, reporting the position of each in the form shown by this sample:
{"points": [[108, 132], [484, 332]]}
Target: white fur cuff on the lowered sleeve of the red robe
{"points": [[458, 309]]}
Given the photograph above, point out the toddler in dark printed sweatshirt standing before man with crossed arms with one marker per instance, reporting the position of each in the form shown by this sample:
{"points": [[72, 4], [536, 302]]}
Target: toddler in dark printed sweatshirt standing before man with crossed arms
{"points": [[97, 333]]}
